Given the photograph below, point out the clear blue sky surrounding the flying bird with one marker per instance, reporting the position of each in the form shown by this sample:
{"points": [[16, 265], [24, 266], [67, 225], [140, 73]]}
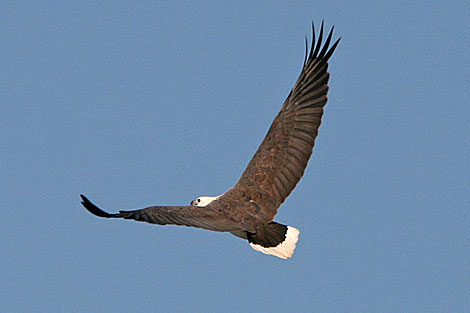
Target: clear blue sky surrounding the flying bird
{"points": [[145, 103]]}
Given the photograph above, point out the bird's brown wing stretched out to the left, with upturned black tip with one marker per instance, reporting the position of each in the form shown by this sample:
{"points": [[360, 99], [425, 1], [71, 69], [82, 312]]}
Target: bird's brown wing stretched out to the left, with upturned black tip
{"points": [[191, 216]]}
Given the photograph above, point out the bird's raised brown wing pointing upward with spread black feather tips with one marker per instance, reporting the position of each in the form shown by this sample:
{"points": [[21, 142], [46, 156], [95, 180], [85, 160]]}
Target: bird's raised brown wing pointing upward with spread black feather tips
{"points": [[280, 161]]}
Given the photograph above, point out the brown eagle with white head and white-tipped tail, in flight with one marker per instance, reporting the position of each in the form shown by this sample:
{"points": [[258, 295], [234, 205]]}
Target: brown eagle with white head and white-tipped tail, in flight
{"points": [[247, 209]]}
